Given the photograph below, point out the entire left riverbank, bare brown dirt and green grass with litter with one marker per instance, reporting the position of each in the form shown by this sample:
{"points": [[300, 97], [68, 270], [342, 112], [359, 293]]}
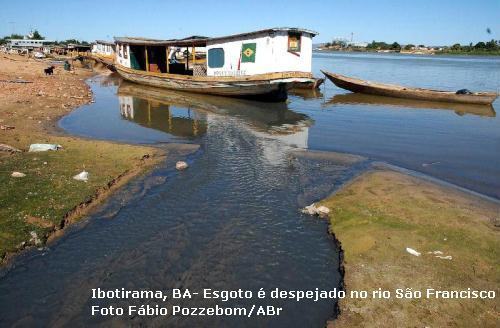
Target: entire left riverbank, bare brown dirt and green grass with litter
{"points": [[47, 198]]}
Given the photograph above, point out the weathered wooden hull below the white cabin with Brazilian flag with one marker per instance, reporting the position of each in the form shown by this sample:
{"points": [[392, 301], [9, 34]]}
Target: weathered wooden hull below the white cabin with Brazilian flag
{"points": [[271, 87]]}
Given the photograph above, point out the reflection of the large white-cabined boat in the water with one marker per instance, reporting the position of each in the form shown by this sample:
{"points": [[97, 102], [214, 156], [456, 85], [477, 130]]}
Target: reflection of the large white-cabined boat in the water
{"points": [[191, 115]]}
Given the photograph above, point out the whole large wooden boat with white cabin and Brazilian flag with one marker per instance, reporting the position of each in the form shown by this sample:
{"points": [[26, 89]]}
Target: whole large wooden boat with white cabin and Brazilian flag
{"points": [[262, 64]]}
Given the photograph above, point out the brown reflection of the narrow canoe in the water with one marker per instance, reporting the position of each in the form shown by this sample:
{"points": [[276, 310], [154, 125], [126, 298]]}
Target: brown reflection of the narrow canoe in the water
{"points": [[371, 100]]}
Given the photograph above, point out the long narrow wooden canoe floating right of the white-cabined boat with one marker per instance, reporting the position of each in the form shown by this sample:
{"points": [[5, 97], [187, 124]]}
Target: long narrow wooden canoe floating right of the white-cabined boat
{"points": [[390, 90]]}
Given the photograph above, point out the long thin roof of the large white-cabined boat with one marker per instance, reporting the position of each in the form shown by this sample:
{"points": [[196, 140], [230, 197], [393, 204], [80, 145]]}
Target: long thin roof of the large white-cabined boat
{"points": [[196, 40]]}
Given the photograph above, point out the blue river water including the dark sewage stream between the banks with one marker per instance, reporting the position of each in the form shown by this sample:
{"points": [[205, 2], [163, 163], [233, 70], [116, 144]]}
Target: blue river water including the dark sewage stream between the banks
{"points": [[231, 220]]}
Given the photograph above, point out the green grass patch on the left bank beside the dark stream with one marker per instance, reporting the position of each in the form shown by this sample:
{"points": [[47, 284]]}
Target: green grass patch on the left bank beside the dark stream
{"points": [[48, 191]]}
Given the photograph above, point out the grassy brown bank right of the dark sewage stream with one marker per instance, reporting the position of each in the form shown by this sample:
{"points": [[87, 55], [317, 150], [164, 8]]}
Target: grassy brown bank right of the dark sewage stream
{"points": [[382, 213]]}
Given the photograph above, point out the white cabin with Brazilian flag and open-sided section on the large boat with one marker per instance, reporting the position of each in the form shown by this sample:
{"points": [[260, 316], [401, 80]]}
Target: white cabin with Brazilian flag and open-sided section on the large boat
{"points": [[272, 50]]}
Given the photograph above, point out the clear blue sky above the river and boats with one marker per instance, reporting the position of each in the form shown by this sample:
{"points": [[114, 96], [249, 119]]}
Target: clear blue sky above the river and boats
{"points": [[429, 22]]}
